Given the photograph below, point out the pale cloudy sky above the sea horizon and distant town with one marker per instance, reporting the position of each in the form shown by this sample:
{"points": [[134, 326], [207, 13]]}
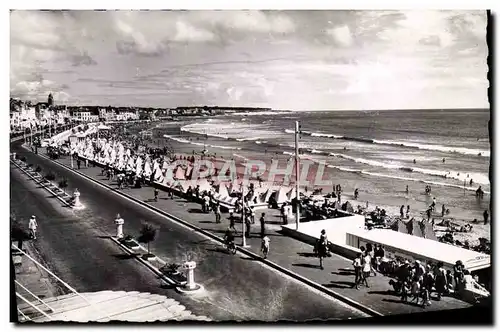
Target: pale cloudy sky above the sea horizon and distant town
{"points": [[294, 60]]}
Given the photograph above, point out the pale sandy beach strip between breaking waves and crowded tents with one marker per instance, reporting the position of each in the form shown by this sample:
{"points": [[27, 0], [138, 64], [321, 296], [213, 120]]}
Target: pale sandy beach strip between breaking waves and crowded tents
{"points": [[384, 196]]}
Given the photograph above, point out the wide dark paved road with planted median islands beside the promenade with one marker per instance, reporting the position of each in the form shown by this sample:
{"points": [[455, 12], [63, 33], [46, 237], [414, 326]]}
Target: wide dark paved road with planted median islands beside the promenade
{"points": [[72, 243]]}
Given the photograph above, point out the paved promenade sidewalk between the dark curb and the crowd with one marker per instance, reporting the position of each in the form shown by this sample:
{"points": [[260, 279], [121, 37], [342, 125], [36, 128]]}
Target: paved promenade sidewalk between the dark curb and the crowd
{"points": [[289, 253]]}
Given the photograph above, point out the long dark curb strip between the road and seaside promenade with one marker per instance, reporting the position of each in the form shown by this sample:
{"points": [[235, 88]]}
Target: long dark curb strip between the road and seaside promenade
{"points": [[342, 298]]}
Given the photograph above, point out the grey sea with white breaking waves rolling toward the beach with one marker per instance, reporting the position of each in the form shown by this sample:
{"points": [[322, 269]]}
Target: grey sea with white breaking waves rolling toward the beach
{"points": [[378, 152]]}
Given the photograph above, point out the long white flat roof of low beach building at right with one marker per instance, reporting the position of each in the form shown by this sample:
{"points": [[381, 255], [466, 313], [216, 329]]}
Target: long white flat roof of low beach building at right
{"points": [[408, 247]]}
